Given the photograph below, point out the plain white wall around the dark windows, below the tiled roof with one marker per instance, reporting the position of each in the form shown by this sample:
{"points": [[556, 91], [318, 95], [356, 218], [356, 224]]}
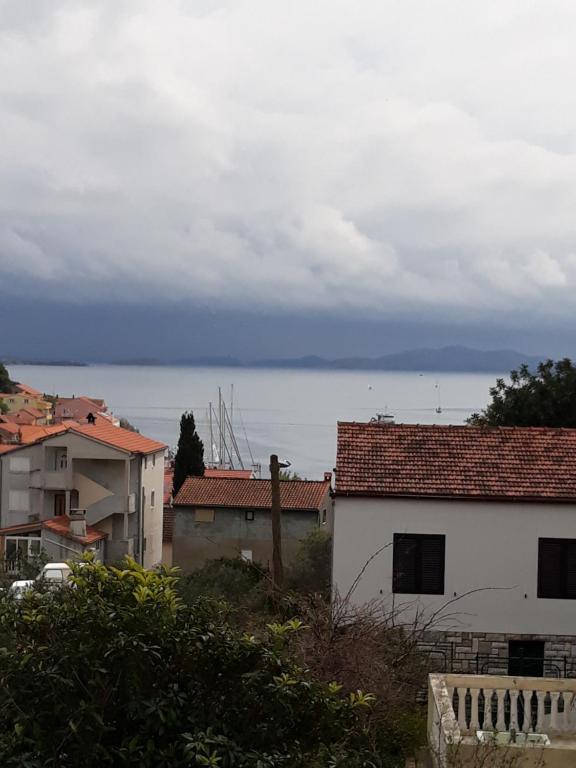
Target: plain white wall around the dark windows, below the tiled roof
{"points": [[488, 545]]}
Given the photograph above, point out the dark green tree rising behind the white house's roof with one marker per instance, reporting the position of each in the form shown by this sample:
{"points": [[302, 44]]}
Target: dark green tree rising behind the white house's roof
{"points": [[544, 398]]}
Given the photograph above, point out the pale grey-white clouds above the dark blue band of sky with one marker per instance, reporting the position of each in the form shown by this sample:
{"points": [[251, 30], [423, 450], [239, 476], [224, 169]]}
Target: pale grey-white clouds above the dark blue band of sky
{"points": [[406, 159]]}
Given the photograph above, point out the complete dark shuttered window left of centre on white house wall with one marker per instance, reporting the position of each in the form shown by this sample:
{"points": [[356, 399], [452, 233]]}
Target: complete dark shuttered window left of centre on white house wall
{"points": [[418, 564]]}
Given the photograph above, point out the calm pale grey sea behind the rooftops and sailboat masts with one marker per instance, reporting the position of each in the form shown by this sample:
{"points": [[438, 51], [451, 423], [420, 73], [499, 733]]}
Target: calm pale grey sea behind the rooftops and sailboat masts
{"points": [[291, 413]]}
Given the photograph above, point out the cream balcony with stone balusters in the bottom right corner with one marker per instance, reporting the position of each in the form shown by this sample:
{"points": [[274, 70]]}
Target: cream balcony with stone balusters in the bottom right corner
{"points": [[492, 720]]}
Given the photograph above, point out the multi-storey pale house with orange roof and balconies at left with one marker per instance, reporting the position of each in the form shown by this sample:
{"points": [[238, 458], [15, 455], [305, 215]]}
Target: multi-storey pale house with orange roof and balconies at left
{"points": [[115, 475]]}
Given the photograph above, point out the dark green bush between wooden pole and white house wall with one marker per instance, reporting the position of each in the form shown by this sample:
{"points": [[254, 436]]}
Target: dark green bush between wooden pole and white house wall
{"points": [[311, 570]]}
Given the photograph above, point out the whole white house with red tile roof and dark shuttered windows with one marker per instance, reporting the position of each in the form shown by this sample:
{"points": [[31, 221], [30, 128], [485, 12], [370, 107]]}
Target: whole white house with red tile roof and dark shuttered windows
{"points": [[473, 526]]}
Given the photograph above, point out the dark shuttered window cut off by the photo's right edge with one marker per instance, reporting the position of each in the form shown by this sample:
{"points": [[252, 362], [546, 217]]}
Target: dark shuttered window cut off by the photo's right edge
{"points": [[557, 568]]}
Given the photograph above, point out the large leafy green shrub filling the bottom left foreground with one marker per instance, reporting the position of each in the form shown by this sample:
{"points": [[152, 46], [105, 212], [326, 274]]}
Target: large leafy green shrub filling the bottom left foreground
{"points": [[116, 671]]}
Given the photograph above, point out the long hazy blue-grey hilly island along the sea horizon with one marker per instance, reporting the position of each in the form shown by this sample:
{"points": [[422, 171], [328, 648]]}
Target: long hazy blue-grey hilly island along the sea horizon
{"points": [[455, 359]]}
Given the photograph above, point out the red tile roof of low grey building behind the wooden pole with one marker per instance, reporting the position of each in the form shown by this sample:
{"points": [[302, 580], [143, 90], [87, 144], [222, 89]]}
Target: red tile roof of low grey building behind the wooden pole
{"points": [[254, 494]]}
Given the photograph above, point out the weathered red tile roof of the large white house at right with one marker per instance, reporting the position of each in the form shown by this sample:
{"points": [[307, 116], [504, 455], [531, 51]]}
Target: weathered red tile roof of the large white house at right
{"points": [[528, 463]]}
